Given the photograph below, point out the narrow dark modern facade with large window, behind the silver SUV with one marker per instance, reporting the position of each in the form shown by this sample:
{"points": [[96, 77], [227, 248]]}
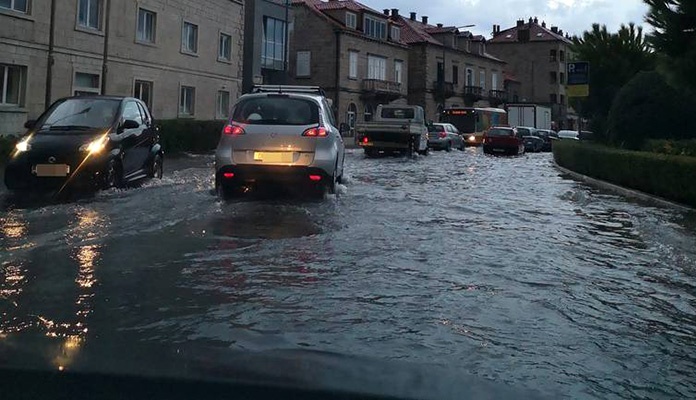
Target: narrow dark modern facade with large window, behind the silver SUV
{"points": [[266, 25]]}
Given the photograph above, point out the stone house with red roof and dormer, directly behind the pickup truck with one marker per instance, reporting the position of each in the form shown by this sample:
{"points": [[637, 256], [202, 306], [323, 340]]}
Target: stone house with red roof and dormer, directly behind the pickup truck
{"points": [[355, 53]]}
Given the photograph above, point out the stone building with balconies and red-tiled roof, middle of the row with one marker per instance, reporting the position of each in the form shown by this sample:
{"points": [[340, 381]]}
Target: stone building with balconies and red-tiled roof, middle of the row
{"points": [[450, 68]]}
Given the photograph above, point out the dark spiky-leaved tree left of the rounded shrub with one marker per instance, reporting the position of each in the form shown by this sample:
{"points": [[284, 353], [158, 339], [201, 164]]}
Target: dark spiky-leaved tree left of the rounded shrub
{"points": [[614, 59]]}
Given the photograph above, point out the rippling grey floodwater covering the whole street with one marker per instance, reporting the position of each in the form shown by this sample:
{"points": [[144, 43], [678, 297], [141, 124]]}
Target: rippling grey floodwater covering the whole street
{"points": [[502, 268]]}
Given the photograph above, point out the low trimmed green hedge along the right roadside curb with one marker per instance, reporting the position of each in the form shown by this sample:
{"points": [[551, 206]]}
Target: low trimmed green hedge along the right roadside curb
{"points": [[667, 176]]}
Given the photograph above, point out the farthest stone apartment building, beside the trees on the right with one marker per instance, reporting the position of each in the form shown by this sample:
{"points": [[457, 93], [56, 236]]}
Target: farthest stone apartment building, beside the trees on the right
{"points": [[537, 56]]}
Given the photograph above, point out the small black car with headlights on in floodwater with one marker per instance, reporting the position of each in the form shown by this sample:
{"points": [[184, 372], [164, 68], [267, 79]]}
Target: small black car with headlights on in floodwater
{"points": [[87, 141]]}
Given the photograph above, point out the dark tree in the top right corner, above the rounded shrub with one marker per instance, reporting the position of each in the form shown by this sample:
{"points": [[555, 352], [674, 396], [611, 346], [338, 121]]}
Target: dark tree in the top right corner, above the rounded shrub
{"points": [[674, 38]]}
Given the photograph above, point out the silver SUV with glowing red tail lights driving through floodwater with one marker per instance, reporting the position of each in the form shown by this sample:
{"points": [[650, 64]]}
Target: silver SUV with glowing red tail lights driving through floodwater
{"points": [[283, 135]]}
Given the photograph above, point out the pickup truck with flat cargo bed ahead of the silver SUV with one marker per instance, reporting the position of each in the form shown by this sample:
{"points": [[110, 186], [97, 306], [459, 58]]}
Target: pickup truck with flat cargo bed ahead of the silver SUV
{"points": [[396, 128]]}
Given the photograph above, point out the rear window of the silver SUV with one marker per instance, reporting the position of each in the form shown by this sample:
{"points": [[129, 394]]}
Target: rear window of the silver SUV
{"points": [[276, 110]]}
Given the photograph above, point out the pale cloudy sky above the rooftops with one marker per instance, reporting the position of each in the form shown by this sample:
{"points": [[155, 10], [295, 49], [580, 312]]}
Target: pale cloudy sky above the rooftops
{"points": [[572, 16]]}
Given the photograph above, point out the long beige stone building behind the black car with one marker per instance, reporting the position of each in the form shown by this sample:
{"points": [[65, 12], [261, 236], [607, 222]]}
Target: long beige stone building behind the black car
{"points": [[183, 58]]}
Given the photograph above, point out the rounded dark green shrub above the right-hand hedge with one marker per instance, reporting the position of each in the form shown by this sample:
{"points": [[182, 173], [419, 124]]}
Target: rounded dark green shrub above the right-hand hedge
{"points": [[647, 108]]}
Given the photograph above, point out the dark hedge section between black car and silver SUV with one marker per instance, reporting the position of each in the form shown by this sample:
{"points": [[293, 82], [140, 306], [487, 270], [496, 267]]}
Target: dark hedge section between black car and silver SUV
{"points": [[183, 135]]}
